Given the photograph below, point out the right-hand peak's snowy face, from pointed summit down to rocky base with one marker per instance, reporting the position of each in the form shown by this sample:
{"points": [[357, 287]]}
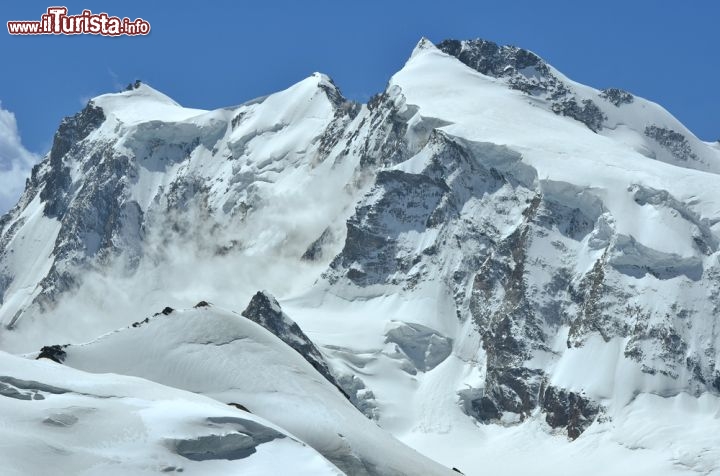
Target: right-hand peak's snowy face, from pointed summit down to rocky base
{"points": [[561, 246]]}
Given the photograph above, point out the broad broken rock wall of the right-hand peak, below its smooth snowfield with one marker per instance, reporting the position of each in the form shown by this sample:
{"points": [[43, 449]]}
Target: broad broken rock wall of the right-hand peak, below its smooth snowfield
{"points": [[489, 231]]}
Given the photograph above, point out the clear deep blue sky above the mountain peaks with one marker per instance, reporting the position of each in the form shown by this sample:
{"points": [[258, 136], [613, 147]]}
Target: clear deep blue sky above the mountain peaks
{"points": [[218, 53]]}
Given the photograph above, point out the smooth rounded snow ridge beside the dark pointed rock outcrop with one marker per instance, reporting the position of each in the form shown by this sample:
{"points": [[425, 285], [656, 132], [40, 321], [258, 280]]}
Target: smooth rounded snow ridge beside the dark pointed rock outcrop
{"points": [[231, 359]]}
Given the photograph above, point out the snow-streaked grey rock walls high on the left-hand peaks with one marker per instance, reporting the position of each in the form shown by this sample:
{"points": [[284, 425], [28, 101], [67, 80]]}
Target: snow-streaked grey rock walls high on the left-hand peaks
{"points": [[90, 181]]}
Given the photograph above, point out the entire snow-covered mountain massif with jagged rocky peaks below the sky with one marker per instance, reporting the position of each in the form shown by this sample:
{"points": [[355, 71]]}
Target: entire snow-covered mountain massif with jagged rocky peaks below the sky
{"points": [[495, 265]]}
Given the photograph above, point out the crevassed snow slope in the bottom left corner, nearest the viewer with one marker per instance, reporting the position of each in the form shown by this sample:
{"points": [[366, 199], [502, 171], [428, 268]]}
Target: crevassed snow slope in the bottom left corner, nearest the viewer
{"points": [[60, 419]]}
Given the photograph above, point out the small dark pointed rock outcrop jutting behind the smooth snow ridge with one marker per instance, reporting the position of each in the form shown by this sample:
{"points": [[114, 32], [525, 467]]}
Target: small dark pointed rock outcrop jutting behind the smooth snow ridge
{"points": [[265, 310]]}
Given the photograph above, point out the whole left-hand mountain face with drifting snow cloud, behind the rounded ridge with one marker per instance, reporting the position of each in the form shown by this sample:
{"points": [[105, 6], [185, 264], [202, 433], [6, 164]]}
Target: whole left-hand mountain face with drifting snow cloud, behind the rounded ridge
{"points": [[196, 203]]}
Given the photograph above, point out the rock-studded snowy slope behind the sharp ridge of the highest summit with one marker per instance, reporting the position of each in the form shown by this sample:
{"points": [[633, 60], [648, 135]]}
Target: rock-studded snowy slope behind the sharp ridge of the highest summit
{"points": [[644, 126]]}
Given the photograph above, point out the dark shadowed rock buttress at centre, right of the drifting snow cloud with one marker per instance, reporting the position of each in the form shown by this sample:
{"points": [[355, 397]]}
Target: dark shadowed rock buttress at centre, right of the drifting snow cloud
{"points": [[376, 250]]}
